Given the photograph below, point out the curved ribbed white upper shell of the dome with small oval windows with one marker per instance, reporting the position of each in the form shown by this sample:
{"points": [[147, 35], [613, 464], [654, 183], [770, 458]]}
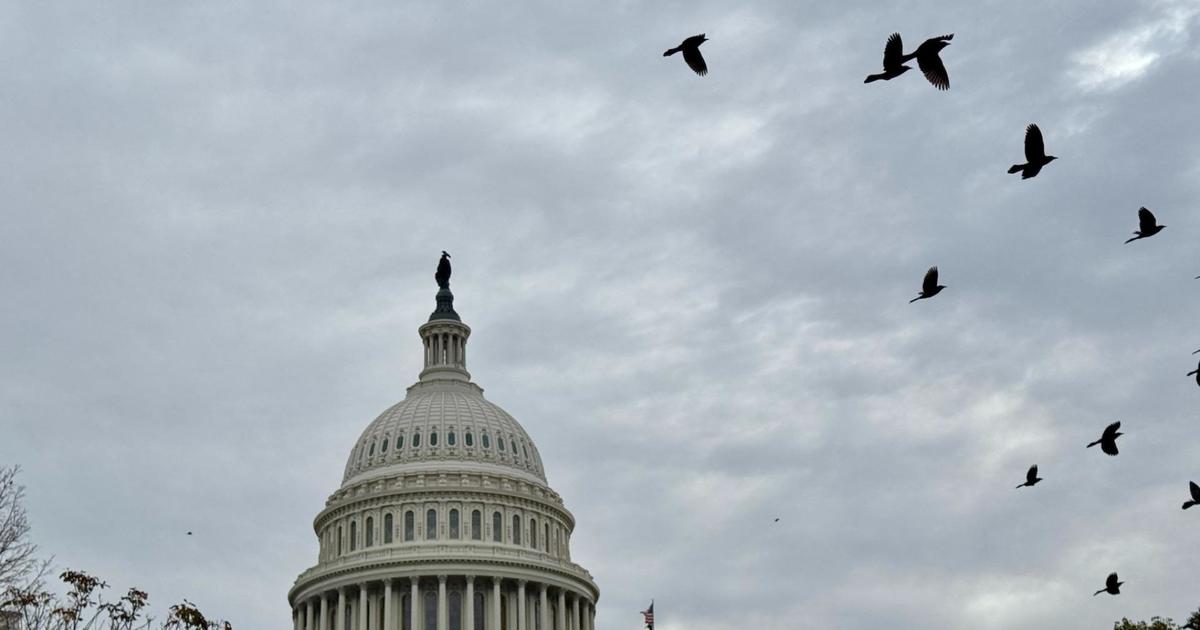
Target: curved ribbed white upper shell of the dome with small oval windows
{"points": [[443, 423]]}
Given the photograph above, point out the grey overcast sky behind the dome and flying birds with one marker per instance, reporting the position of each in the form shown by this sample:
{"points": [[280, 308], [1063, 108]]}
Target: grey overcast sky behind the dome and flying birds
{"points": [[221, 221]]}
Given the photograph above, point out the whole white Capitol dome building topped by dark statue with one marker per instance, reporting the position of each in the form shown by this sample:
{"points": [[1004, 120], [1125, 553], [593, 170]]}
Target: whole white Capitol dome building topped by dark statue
{"points": [[445, 519]]}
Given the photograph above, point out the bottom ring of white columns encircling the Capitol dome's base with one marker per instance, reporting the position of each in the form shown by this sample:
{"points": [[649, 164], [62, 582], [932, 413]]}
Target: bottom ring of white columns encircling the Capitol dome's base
{"points": [[401, 604]]}
